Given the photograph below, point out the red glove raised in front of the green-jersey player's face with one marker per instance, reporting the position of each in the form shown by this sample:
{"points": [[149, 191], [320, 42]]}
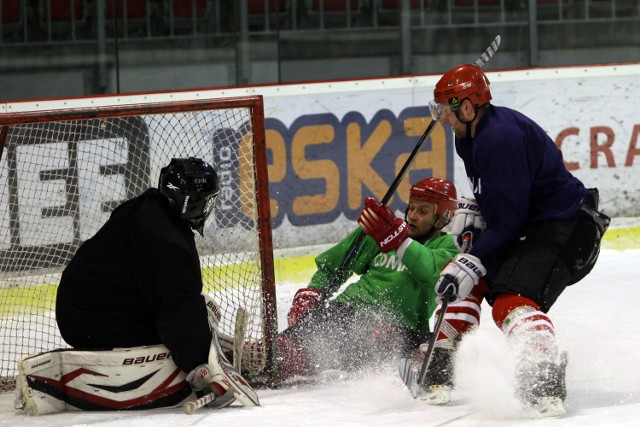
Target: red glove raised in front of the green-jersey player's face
{"points": [[382, 225]]}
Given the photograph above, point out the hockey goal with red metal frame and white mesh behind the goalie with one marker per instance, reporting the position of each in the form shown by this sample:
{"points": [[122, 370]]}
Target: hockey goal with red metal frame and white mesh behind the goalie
{"points": [[62, 172]]}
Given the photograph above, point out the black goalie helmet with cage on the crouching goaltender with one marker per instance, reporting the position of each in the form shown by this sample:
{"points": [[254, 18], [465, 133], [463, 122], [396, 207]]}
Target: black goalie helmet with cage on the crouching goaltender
{"points": [[191, 186]]}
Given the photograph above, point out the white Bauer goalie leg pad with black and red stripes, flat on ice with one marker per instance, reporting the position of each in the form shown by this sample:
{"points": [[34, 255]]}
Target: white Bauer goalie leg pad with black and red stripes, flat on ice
{"points": [[101, 380]]}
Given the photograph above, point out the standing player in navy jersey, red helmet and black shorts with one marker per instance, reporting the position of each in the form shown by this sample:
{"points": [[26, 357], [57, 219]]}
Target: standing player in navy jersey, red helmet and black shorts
{"points": [[532, 230]]}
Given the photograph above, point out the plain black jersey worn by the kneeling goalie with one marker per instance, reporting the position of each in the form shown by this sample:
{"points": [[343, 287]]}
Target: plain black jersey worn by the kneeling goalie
{"points": [[137, 282]]}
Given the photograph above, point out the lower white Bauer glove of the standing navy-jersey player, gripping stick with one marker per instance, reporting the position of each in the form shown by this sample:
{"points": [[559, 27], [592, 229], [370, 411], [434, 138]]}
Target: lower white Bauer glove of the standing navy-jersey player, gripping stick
{"points": [[458, 278]]}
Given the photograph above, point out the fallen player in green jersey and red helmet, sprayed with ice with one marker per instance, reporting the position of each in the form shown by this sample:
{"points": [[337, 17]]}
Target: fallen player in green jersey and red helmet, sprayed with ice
{"points": [[384, 312]]}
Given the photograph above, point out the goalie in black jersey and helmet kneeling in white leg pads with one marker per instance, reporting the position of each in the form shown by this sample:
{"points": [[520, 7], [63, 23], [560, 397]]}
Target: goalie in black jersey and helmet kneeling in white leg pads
{"points": [[135, 288]]}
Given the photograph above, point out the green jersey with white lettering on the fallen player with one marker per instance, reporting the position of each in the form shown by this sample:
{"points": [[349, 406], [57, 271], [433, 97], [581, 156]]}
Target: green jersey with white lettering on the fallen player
{"points": [[400, 292]]}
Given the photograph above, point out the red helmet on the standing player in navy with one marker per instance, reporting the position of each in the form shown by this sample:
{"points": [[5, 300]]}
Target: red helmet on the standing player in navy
{"points": [[462, 82]]}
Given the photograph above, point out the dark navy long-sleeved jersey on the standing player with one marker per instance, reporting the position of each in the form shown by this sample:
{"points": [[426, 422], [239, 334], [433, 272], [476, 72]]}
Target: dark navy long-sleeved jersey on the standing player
{"points": [[518, 178]]}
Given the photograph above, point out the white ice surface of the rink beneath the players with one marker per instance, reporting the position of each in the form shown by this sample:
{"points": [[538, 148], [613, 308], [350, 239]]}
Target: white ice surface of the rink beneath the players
{"points": [[597, 322]]}
